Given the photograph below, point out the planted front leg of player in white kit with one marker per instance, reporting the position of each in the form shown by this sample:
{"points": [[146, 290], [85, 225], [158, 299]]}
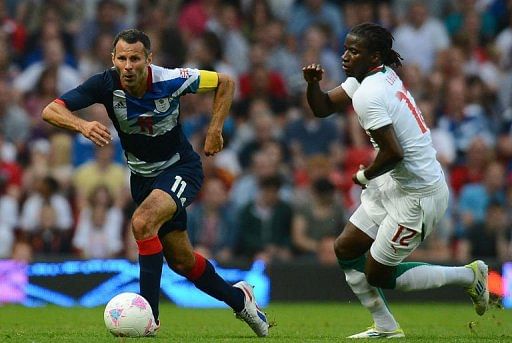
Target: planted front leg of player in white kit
{"points": [[351, 248]]}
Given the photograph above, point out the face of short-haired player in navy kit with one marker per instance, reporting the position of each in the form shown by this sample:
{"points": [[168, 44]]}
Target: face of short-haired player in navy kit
{"points": [[131, 63]]}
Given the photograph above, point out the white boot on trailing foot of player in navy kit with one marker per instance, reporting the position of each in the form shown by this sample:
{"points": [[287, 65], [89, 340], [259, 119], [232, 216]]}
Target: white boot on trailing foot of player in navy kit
{"points": [[251, 313]]}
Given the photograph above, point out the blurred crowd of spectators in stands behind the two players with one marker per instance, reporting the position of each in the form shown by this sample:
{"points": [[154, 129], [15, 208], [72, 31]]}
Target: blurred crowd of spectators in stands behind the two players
{"points": [[281, 190]]}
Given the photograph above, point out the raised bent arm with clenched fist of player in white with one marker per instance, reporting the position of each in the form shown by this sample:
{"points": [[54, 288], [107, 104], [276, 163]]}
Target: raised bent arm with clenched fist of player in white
{"points": [[323, 104]]}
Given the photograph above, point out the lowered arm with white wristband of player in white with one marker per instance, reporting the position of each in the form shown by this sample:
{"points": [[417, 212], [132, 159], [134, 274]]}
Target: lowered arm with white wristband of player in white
{"points": [[389, 155]]}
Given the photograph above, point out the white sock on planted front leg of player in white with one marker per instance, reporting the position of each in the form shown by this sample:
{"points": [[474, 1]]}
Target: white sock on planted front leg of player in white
{"points": [[371, 299]]}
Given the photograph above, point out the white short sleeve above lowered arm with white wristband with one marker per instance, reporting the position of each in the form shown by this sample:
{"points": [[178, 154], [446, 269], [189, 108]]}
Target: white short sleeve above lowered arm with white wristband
{"points": [[371, 109]]}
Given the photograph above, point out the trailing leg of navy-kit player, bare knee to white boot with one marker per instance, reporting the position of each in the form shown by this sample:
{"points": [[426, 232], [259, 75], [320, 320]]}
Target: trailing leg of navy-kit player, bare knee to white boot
{"points": [[183, 260]]}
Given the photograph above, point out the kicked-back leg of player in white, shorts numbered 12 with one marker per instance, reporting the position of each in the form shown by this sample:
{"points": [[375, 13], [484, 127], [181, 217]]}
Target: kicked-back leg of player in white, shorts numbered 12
{"points": [[385, 268]]}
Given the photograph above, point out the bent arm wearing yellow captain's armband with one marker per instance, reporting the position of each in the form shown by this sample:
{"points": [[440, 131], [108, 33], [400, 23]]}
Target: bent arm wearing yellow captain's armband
{"points": [[224, 88]]}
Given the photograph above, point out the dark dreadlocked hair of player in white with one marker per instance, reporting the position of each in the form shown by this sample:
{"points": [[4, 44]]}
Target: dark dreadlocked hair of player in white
{"points": [[379, 39]]}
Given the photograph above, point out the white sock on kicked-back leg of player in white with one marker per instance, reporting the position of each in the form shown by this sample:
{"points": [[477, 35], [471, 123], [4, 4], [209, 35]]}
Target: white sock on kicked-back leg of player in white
{"points": [[430, 276]]}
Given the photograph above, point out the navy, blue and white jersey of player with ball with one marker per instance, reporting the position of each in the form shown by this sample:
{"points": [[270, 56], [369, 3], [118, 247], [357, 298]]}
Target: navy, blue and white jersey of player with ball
{"points": [[148, 127]]}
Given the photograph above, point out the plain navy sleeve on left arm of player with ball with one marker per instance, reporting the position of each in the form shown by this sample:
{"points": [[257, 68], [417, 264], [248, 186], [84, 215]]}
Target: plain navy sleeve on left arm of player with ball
{"points": [[92, 91]]}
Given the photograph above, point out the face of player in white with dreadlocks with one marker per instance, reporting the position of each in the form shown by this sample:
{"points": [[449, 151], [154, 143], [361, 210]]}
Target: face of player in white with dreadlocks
{"points": [[357, 59]]}
